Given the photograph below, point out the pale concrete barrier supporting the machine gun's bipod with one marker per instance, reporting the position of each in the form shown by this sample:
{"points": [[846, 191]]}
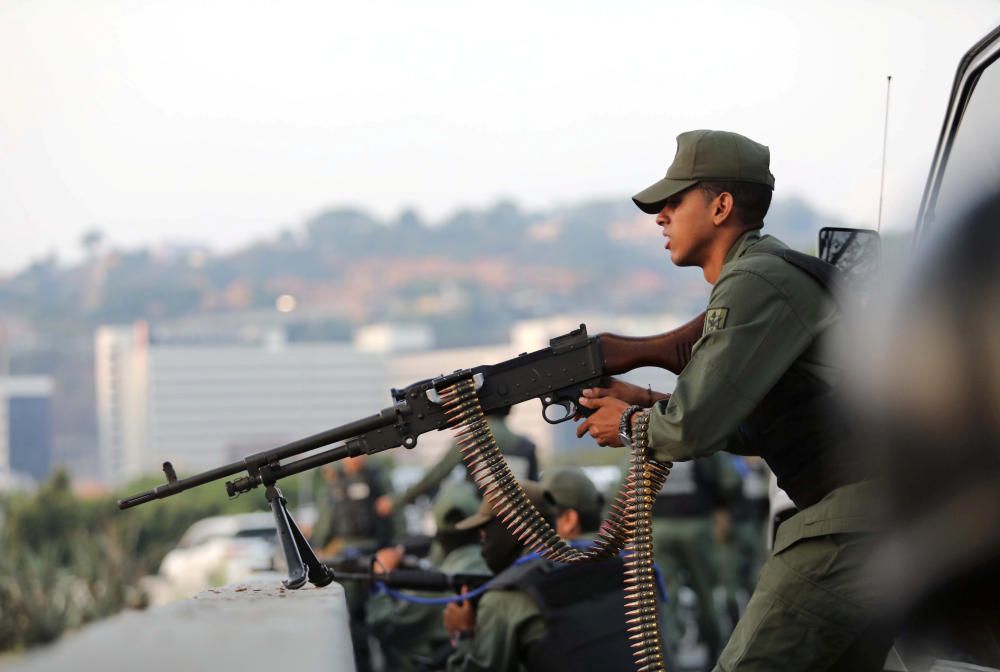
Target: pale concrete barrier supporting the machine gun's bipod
{"points": [[249, 627]]}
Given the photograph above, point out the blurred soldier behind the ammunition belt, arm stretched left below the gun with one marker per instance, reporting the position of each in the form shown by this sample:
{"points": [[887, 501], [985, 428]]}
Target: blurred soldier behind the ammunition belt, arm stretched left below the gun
{"points": [[518, 450]]}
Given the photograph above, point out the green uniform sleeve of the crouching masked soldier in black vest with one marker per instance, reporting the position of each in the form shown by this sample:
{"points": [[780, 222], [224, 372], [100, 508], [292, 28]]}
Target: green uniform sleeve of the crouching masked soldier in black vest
{"points": [[508, 625]]}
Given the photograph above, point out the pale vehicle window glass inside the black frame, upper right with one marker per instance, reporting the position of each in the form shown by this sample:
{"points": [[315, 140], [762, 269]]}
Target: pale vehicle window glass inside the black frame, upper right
{"points": [[973, 168]]}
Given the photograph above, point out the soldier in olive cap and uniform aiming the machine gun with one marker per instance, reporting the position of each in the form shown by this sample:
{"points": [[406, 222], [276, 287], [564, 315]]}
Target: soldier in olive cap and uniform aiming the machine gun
{"points": [[761, 382]]}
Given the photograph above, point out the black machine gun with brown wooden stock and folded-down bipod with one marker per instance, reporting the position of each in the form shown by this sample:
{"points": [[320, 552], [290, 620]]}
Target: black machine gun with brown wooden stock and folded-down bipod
{"points": [[556, 375]]}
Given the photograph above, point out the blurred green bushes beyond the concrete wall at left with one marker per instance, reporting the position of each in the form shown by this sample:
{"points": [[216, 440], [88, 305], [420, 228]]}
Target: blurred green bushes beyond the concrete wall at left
{"points": [[65, 561]]}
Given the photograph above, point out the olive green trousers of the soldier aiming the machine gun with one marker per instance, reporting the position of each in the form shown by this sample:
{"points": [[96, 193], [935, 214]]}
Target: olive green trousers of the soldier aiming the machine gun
{"points": [[810, 611]]}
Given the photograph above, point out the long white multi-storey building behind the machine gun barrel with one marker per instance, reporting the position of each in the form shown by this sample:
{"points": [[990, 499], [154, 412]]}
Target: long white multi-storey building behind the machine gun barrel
{"points": [[191, 403]]}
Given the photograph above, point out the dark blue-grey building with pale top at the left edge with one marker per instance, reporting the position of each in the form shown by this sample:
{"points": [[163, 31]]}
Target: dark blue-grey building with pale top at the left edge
{"points": [[25, 427]]}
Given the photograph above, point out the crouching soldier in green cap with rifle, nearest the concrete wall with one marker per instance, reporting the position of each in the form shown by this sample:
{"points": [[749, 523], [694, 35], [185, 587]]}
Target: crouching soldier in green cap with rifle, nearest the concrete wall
{"points": [[406, 631]]}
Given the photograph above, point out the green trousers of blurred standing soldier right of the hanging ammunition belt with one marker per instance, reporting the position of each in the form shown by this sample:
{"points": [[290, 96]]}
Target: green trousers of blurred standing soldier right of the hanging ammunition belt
{"points": [[685, 551]]}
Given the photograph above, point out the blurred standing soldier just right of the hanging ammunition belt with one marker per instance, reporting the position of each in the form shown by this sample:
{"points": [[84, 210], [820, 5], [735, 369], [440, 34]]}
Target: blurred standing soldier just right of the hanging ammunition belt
{"points": [[690, 520]]}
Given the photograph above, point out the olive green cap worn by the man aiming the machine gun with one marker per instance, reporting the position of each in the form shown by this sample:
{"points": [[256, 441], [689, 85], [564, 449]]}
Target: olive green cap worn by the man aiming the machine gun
{"points": [[708, 156]]}
